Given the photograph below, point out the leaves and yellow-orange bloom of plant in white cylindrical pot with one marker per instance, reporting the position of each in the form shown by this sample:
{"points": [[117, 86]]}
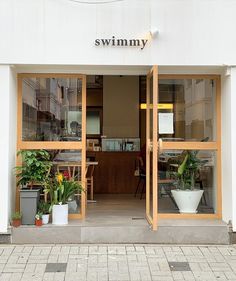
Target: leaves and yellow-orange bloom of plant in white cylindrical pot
{"points": [[61, 189]]}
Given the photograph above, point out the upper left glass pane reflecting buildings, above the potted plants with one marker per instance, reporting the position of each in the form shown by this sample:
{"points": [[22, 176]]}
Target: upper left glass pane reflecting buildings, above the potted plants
{"points": [[51, 109]]}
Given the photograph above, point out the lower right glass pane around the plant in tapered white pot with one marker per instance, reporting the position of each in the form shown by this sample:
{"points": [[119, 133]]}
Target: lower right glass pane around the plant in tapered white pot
{"points": [[205, 179]]}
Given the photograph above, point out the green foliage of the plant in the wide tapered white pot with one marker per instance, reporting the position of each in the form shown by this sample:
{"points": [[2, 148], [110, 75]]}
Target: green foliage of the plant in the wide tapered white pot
{"points": [[188, 169]]}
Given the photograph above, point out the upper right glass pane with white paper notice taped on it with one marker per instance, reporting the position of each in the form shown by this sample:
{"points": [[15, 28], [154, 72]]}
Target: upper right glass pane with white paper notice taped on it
{"points": [[187, 109]]}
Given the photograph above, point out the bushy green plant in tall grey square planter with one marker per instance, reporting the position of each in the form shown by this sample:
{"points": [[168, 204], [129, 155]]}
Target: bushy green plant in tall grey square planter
{"points": [[32, 173]]}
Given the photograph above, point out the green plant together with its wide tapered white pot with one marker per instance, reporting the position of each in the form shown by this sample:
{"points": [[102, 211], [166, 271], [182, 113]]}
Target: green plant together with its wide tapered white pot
{"points": [[187, 196]]}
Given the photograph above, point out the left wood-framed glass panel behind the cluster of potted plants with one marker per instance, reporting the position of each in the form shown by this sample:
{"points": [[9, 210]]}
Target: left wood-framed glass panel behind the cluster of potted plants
{"points": [[52, 116]]}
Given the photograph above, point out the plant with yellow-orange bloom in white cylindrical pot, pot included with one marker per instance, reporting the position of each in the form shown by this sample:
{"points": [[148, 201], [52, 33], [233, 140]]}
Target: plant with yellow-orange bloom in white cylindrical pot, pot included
{"points": [[61, 190]]}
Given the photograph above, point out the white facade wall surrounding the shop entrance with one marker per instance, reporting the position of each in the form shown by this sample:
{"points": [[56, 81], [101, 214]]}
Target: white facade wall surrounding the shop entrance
{"points": [[195, 37]]}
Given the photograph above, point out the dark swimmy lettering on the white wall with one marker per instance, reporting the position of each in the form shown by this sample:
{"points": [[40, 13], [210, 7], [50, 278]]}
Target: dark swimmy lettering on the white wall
{"points": [[118, 42]]}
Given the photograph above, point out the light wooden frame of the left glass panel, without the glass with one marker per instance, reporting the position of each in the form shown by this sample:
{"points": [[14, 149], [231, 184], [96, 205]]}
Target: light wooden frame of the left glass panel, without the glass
{"points": [[81, 145]]}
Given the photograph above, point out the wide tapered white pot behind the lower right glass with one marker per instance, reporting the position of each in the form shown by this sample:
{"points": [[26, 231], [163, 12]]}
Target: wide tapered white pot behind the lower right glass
{"points": [[187, 200]]}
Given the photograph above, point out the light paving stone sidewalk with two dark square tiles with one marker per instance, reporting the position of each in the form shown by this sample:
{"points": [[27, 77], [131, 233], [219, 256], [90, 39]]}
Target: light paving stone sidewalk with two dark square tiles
{"points": [[117, 262]]}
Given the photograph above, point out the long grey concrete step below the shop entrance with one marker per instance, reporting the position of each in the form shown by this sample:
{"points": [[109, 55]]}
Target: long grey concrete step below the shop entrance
{"points": [[169, 232]]}
